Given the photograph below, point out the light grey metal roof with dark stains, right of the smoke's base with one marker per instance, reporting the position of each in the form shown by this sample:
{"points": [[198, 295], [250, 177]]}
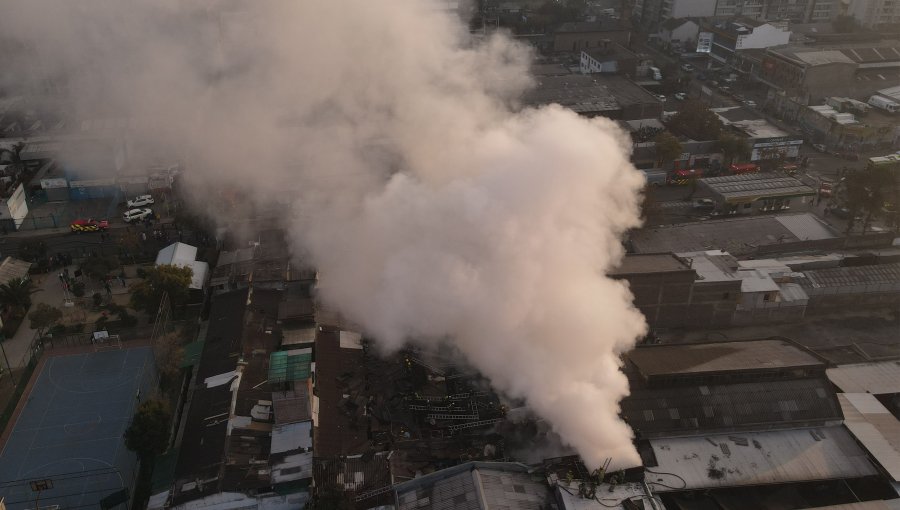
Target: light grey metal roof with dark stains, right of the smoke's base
{"points": [[759, 458]]}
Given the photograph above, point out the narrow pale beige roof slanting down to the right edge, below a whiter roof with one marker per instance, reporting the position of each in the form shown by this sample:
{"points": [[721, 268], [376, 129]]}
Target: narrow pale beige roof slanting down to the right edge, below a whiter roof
{"points": [[875, 427]]}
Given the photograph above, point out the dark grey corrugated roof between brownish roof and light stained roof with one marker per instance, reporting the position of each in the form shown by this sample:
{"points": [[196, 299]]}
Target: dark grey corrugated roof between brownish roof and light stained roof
{"points": [[711, 408]]}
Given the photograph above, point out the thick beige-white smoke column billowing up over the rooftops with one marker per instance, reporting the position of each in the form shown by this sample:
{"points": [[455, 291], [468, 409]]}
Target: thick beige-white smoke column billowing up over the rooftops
{"points": [[433, 211]]}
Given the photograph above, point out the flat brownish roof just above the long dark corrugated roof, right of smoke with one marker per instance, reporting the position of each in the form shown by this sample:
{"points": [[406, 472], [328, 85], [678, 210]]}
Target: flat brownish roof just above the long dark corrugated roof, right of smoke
{"points": [[719, 357]]}
